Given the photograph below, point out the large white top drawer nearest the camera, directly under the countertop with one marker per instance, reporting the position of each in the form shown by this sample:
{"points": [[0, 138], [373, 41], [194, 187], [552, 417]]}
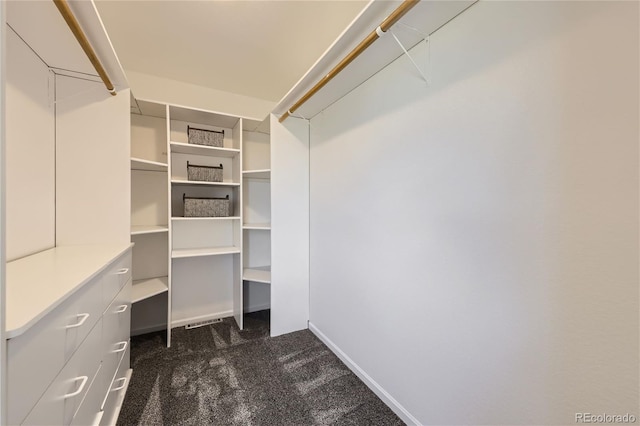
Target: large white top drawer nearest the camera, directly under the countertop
{"points": [[38, 355]]}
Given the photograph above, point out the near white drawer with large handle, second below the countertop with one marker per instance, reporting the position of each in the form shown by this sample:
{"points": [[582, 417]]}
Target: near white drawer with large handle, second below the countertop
{"points": [[63, 397]]}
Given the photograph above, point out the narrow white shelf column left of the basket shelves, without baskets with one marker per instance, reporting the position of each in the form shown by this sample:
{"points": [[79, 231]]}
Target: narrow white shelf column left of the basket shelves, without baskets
{"points": [[149, 217]]}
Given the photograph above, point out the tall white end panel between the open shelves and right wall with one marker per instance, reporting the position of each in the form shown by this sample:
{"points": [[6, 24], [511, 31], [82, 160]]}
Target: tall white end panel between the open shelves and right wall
{"points": [[289, 225]]}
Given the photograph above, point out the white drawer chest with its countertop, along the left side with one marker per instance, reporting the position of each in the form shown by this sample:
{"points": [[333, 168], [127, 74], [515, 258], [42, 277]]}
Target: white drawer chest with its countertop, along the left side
{"points": [[68, 347]]}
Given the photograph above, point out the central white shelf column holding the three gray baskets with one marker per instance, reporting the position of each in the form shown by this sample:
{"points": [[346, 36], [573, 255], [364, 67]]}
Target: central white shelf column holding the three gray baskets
{"points": [[205, 251]]}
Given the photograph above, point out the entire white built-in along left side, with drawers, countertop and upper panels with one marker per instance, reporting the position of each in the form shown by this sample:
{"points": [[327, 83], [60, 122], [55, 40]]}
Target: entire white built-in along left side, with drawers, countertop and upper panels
{"points": [[66, 322]]}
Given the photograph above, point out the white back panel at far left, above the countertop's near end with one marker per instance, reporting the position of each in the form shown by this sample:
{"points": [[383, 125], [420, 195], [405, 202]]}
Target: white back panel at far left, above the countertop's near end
{"points": [[30, 149]]}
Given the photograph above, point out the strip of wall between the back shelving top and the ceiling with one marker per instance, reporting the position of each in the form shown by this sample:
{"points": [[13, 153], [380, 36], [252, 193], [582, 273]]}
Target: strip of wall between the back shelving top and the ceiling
{"points": [[163, 90]]}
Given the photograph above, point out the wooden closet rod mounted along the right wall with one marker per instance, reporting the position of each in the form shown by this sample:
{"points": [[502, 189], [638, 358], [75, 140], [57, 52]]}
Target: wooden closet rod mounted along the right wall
{"points": [[364, 44]]}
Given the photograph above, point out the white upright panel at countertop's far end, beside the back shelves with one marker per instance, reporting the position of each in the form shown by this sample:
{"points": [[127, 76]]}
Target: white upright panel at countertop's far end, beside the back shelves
{"points": [[92, 163]]}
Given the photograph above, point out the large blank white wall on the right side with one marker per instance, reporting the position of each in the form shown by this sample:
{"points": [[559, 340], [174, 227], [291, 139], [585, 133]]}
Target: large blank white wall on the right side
{"points": [[474, 243]]}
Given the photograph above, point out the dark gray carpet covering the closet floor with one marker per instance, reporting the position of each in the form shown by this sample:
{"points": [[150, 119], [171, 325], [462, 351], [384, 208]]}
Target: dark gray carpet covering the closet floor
{"points": [[219, 375]]}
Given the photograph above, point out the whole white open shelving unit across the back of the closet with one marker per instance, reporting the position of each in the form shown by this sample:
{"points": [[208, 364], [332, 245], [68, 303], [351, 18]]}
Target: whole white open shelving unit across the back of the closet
{"points": [[190, 269]]}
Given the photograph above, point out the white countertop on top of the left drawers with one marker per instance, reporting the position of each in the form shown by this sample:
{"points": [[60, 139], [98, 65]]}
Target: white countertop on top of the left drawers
{"points": [[37, 284]]}
